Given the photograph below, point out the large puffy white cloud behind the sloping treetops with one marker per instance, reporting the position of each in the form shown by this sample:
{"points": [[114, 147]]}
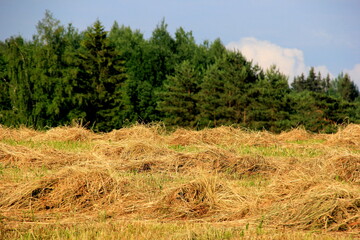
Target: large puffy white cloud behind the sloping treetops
{"points": [[290, 61]]}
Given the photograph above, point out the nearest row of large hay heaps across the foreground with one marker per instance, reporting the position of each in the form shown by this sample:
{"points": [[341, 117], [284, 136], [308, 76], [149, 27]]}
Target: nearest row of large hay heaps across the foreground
{"points": [[206, 197]]}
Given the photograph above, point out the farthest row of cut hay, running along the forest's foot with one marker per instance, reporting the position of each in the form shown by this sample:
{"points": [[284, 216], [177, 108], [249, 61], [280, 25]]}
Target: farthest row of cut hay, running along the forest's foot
{"points": [[350, 135]]}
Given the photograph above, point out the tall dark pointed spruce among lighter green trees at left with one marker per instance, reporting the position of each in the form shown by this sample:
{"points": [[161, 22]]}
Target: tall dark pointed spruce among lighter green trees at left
{"points": [[100, 78]]}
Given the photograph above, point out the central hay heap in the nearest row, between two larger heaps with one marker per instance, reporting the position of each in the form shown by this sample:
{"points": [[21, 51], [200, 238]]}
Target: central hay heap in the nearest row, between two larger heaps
{"points": [[201, 198]]}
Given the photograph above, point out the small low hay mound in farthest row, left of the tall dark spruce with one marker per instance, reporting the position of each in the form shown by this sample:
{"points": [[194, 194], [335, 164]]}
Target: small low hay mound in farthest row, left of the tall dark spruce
{"points": [[66, 134]]}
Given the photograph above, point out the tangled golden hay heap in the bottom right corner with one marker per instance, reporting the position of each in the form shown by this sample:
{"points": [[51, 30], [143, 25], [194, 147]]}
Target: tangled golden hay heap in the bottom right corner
{"points": [[327, 206]]}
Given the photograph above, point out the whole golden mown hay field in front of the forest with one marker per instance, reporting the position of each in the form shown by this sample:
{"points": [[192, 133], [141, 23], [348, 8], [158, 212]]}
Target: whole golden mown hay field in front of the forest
{"points": [[143, 182]]}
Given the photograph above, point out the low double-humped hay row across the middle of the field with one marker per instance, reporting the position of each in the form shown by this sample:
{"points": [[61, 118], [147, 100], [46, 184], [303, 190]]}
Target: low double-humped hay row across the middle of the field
{"points": [[143, 156]]}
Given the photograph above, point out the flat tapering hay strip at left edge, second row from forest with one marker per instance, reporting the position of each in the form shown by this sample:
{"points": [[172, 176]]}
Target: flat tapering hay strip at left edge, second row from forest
{"points": [[22, 156]]}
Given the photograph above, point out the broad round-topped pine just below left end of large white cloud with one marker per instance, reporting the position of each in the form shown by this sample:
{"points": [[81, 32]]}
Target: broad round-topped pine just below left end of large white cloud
{"points": [[223, 98]]}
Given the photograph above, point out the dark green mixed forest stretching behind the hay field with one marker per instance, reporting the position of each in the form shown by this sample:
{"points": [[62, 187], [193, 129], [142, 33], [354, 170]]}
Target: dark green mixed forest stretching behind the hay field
{"points": [[110, 79]]}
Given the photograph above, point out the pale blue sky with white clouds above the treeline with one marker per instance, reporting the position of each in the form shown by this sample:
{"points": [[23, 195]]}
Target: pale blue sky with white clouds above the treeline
{"points": [[292, 34]]}
